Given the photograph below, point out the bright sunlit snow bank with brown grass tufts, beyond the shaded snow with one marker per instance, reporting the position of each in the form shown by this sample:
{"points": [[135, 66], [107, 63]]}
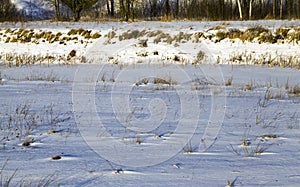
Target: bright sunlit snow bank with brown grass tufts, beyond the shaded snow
{"points": [[179, 37]]}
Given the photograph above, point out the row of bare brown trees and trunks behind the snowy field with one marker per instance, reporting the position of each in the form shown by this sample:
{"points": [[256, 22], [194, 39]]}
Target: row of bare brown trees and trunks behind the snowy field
{"points": [[164, 9]]}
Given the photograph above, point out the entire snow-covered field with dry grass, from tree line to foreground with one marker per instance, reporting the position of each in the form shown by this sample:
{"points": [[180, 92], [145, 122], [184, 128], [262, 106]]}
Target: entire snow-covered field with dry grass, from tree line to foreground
{"points": [[148, 104]]}
